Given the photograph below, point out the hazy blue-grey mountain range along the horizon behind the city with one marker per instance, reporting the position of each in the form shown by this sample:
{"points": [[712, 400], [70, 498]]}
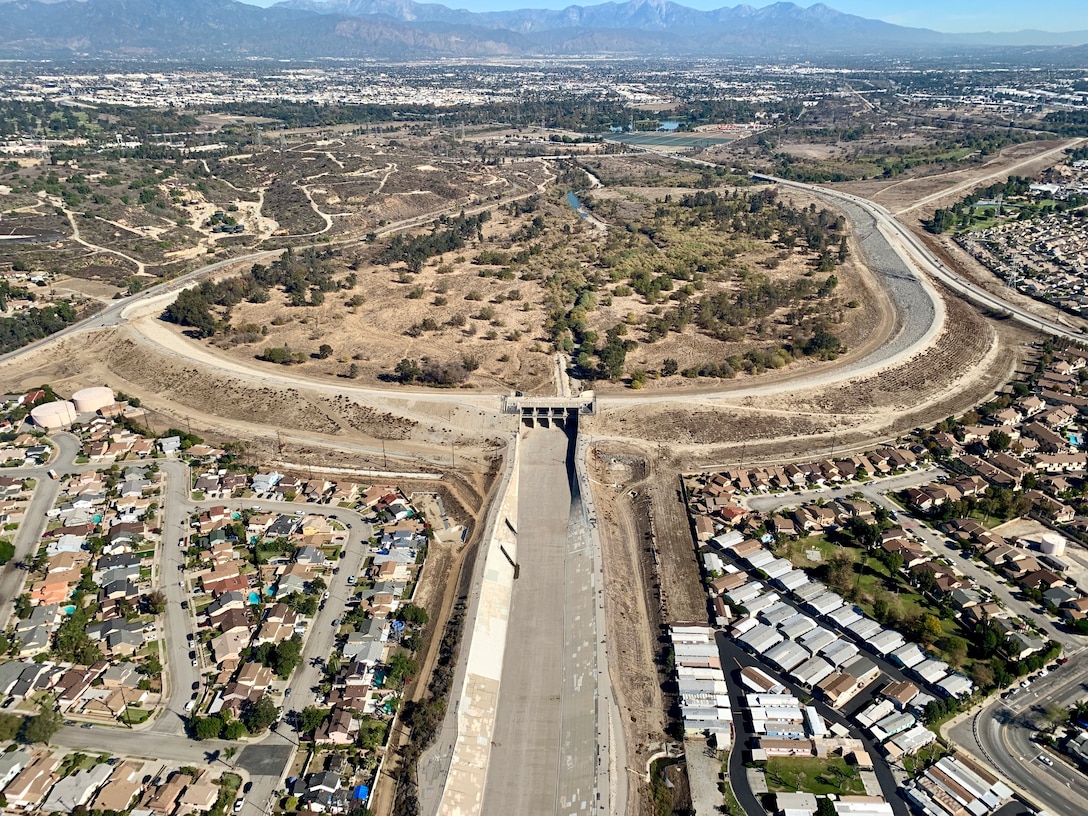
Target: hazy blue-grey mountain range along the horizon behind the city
{"points": [[400, 30]]}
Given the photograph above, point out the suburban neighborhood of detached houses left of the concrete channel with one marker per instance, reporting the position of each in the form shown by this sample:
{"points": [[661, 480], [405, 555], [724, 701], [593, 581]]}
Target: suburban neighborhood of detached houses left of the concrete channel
{"points": [[165, 589]]}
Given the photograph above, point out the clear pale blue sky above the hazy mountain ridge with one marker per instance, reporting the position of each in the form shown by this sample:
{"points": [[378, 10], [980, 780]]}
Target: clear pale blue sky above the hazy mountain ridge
{"points": [[942, 16]]}
